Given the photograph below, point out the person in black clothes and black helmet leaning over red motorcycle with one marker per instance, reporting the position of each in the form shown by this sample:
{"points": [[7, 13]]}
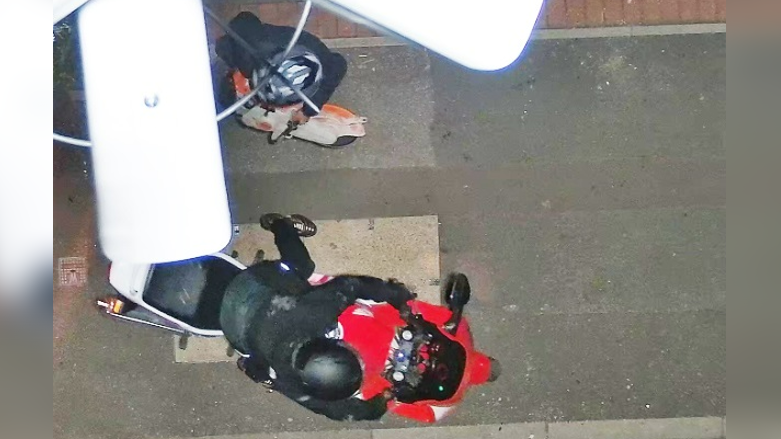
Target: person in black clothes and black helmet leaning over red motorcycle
{"points": [[286, 326]]}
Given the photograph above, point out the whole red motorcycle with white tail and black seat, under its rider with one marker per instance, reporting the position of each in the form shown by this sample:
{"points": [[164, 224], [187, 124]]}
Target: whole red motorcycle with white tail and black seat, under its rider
{"points": [[427, 359]]}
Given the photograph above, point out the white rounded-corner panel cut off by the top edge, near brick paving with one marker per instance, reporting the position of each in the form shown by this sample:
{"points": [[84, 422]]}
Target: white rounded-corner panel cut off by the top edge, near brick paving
{"points": [[483, 35]]}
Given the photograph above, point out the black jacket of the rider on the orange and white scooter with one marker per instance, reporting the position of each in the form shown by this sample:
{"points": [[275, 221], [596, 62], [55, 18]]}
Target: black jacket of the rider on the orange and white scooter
{"points": [[268, 39]]}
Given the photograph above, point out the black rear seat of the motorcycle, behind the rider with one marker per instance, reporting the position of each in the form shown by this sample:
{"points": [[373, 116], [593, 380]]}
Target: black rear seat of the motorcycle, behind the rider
{"points": [[191, 291]]}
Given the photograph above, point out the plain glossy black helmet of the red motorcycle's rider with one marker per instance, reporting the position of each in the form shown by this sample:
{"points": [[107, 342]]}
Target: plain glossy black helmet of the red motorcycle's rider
{"points": [[328, 369]]}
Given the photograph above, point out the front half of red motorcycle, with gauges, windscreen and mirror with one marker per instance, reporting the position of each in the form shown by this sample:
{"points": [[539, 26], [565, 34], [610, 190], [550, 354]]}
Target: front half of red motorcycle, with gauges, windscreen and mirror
{"points": [[428, 359]]}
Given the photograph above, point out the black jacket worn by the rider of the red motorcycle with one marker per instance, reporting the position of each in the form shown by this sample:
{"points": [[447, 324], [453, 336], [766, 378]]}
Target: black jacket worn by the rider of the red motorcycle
{"points": [[286, 321]]}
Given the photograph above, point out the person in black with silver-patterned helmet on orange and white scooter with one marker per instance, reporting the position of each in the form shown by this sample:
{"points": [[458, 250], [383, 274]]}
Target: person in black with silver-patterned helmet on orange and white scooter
{"points": [[270, 41]]}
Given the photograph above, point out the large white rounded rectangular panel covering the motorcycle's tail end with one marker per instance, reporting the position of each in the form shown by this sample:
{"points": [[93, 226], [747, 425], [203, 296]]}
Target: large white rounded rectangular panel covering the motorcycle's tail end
{"points": [[160, 189]]}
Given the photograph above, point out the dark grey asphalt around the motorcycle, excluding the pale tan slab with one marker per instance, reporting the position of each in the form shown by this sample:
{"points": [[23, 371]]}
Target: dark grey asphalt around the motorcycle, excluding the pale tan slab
{"points": [[583, 191]]}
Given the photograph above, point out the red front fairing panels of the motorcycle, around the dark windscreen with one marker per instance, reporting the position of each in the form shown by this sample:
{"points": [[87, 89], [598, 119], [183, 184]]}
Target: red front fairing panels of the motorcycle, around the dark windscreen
{"points": [[371, 328]]}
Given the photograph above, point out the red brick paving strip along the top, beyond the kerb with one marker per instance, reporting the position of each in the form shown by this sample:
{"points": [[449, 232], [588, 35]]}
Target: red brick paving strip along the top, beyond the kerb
{"points": [[558, 14]]}
